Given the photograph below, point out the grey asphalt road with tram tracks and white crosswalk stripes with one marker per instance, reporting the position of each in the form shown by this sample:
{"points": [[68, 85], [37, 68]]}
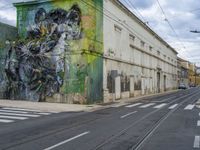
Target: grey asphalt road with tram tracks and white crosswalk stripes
{"points": [[167, 122]]}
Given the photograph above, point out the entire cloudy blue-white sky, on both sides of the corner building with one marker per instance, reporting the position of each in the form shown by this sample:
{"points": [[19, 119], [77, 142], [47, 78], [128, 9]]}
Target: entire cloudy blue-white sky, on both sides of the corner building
{"points": [[183, 16]]}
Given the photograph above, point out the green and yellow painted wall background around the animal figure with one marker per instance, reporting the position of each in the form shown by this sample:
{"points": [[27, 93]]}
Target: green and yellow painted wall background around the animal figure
{"points": [[85, 72]]}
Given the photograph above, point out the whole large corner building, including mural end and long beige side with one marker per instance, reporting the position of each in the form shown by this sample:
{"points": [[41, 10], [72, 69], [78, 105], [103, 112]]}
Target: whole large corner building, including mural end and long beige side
{"points": [[90, 51]]}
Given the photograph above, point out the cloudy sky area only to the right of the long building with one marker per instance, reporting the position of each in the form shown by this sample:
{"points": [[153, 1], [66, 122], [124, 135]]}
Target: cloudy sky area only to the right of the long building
{"points": [[183, 21]]}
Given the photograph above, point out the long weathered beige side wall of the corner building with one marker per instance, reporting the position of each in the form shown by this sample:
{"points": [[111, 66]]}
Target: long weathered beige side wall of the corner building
{"points": [[134, 53]]}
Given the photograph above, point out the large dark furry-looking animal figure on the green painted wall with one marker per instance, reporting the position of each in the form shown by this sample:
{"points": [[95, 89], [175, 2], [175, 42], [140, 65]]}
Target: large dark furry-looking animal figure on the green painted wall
{"points": [[36, 67]]}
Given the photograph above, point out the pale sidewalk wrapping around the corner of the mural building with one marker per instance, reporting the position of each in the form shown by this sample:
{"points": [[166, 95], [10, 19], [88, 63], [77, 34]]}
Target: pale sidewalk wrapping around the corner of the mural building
{"points": [[61, 107]]}
